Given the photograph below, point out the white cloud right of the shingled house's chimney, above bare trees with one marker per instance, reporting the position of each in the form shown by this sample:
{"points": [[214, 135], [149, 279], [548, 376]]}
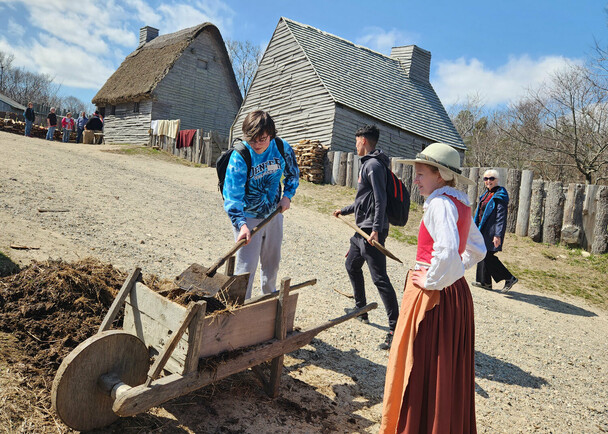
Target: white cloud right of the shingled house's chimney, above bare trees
{"points": [[457, 79]]}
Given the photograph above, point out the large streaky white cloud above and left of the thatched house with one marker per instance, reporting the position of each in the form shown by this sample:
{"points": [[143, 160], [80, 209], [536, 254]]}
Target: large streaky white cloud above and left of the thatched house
{"points": [[82, 46]]}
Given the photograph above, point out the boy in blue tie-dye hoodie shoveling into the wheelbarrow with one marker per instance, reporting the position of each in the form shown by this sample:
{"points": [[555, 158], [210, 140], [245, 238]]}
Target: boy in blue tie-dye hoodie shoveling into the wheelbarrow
{"points": [[251, 197]]}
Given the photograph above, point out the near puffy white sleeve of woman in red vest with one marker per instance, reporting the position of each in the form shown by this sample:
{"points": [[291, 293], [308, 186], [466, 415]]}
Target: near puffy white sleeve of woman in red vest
{"points": [[440, 219]]}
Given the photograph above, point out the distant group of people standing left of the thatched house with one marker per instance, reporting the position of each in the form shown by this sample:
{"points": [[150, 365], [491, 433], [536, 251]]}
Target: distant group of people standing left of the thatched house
{"points": [[68, 123]]}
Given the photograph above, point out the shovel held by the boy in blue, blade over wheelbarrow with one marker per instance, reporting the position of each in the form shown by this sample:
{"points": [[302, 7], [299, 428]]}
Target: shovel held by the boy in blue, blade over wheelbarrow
{"points": [[208, 281]]}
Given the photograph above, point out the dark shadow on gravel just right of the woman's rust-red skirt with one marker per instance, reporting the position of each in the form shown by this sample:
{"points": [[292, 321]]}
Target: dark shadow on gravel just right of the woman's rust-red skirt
{"points": [[493, 369]]}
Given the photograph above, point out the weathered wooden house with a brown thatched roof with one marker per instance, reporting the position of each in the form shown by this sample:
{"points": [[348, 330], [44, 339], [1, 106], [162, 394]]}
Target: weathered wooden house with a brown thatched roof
{"points": [[185, 75]]}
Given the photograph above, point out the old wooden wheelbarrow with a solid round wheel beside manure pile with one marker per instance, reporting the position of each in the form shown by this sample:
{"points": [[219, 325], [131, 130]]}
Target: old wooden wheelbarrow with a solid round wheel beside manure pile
{"points": [[109, 375]]}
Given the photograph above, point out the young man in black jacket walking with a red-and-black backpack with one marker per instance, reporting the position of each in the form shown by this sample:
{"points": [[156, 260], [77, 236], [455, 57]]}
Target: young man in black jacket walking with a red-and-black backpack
{"points": [[370, 215]]}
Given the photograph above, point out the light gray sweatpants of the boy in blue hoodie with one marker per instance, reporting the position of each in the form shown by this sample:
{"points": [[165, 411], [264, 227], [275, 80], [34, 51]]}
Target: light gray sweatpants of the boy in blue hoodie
{"points": [[265, 247]]}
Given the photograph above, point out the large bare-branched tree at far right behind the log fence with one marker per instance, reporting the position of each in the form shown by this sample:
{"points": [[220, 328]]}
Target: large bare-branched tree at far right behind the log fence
{"points": [[567, 120]]}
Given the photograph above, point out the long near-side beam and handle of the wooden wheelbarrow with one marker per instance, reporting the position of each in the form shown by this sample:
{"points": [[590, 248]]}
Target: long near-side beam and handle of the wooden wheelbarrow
{"points": [[140, 398]]}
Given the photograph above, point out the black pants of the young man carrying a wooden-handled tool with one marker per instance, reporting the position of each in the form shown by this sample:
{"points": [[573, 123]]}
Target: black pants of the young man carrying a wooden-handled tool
{"points": [[360, 252]]}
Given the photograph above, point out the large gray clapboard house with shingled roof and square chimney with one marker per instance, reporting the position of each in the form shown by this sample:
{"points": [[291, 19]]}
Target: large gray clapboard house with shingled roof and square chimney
{"points": [[318, 86]]}
